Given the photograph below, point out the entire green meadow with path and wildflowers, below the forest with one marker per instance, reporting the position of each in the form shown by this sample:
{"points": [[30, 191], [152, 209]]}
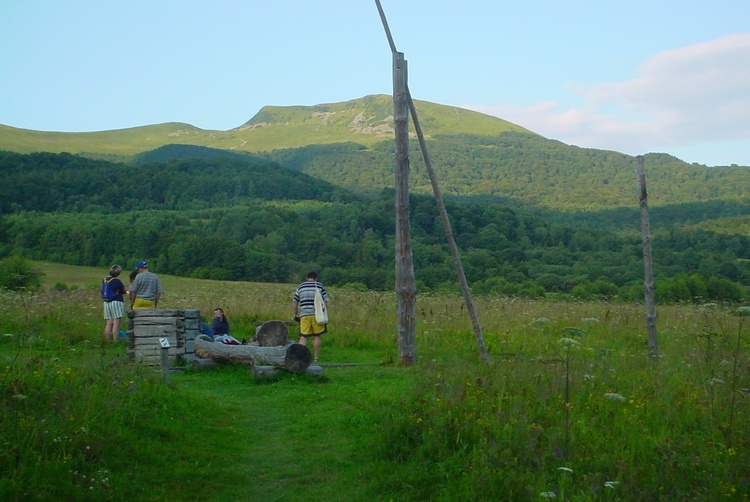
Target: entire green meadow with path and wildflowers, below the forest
{"points": [[570, 406]]}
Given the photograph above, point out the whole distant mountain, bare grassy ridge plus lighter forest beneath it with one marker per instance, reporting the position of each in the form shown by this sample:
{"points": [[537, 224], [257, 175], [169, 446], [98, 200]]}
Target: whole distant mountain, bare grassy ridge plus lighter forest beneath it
{"points": [[476, 156]]}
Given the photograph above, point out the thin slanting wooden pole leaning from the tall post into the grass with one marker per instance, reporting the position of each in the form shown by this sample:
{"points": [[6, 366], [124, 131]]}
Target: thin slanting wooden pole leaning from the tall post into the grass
{"points": [[449, 233]]}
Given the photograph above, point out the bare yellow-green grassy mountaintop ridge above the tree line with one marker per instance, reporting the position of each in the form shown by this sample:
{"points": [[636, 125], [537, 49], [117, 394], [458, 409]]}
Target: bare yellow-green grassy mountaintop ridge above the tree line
{"points": [[365, 121]]}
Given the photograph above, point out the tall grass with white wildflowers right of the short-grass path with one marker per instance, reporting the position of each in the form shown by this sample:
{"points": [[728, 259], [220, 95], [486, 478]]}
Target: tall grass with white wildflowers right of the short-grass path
{"points": [[574, 409]]}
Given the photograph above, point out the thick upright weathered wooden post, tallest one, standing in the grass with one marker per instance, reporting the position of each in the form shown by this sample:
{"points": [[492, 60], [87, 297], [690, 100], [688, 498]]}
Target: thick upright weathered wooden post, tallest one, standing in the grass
{"points": [[405, 287]]}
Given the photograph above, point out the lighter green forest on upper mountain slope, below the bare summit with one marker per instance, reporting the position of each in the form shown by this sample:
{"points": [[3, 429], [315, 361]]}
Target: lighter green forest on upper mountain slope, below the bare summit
{"points": [[522, 169]]}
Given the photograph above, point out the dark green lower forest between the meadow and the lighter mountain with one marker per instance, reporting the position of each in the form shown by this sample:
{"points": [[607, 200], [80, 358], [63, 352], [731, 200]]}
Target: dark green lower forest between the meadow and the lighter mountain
{"points": [[240, 218]]}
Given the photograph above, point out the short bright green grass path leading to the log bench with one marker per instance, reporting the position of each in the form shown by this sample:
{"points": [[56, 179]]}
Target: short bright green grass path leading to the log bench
{"points": [[298, 438]]}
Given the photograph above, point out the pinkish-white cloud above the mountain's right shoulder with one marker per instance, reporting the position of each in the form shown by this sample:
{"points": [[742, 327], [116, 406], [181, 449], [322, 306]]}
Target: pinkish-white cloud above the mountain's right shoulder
{"points": [[695, 95]]}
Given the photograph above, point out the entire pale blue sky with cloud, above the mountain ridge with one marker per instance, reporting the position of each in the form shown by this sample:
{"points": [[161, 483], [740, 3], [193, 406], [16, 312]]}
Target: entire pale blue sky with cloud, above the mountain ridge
{"points": [[634, 77]]}
